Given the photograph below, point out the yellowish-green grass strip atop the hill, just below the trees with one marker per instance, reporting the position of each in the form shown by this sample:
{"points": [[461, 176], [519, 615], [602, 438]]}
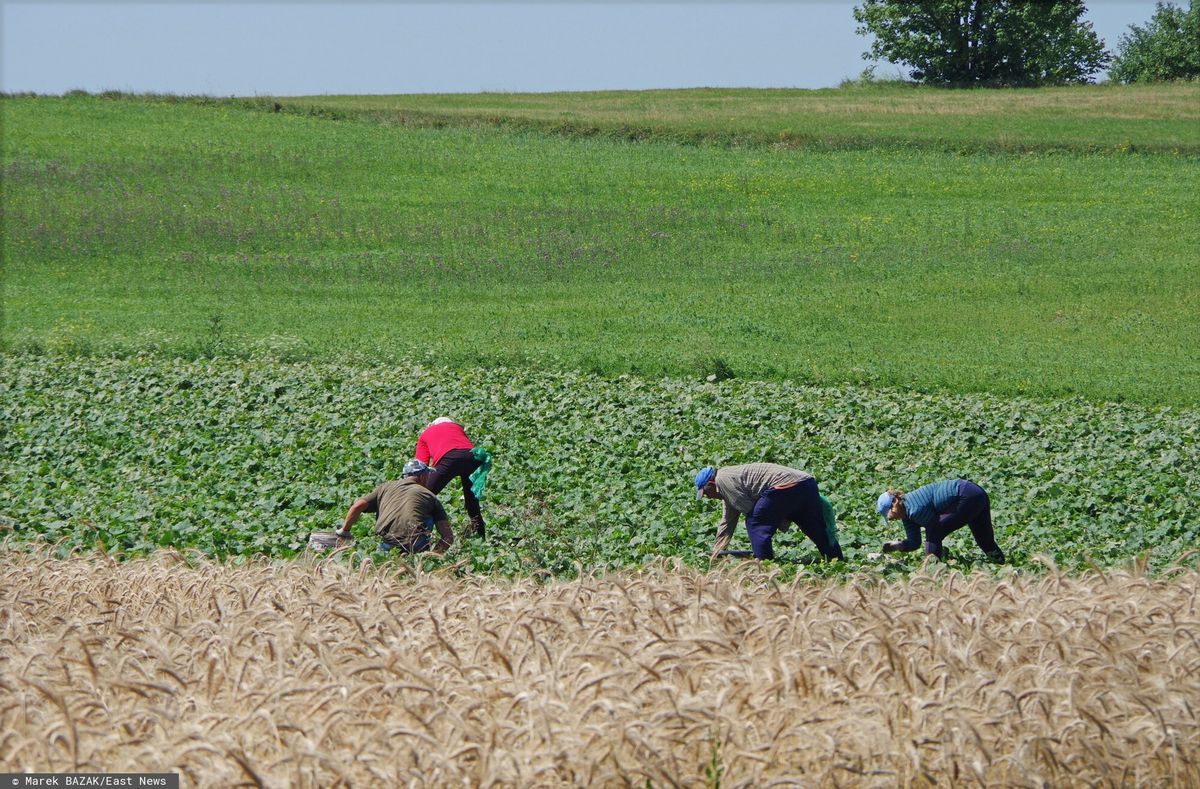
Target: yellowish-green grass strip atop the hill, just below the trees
{"points": [[1093, 118]]}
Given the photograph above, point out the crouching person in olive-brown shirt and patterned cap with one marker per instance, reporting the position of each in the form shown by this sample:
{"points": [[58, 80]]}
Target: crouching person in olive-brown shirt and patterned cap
{"points": [[406, 514]]}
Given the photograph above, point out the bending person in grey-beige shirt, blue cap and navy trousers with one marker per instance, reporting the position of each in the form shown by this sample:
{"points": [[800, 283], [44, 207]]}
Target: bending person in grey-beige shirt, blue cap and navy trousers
{"points": [[770, 496]]}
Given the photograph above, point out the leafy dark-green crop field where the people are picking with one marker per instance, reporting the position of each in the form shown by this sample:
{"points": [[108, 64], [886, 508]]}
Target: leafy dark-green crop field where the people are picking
{"points": [[238, 457]]}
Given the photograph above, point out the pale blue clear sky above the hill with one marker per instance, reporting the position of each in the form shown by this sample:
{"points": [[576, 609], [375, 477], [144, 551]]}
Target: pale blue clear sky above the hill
{"points": [[225, 49]]}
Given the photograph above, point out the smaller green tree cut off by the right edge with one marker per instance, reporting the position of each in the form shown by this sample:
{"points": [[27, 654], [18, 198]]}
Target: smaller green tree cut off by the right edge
{"points": [[1167, 49]]}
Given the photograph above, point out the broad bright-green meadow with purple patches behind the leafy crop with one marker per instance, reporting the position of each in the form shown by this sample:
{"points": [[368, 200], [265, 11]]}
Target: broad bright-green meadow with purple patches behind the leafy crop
{"points": [[197, 230]]}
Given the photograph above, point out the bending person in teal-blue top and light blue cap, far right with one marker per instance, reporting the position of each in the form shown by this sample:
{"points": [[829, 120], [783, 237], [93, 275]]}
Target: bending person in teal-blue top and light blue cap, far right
{"points": [[941, 508]]}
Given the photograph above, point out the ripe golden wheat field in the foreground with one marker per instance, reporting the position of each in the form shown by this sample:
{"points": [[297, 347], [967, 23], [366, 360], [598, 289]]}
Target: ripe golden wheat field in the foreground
{"points": [[314, 673]]}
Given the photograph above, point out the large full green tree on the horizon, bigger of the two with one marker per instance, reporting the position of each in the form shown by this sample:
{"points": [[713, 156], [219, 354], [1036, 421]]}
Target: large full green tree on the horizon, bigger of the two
{"points": [[985, 43]]}
